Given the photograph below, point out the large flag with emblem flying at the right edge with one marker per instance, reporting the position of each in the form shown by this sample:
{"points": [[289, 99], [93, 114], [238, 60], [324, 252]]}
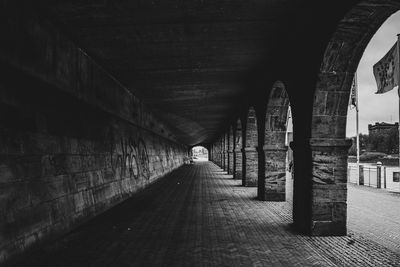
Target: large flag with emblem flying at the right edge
{"points": [[386, 71]]}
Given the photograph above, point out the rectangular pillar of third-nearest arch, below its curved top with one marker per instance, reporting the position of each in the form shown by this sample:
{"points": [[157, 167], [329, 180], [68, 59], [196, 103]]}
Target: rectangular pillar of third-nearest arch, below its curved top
{"points": [[250, 176]]}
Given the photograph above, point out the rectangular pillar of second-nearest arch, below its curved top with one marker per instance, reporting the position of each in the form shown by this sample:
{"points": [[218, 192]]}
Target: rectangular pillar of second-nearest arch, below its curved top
{"points": [[274, 186]]}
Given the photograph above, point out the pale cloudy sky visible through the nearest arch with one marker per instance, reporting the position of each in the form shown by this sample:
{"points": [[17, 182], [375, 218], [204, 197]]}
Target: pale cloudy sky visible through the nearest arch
{"points": [[373, 107]]}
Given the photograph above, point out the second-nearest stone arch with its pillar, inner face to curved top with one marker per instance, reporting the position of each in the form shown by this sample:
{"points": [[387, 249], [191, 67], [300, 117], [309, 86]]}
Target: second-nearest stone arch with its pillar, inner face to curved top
{"points": [[272, 187]]}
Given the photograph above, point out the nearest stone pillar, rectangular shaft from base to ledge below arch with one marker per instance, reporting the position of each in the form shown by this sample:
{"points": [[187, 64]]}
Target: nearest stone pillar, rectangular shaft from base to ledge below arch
{"points": [[329, 186]]}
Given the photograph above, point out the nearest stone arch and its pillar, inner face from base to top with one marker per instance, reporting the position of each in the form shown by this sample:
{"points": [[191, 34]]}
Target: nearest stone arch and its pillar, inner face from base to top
{"points": [[329, 146]]}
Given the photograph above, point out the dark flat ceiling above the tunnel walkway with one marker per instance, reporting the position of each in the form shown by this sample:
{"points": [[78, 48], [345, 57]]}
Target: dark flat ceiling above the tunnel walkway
{"points": [[186, 59]]}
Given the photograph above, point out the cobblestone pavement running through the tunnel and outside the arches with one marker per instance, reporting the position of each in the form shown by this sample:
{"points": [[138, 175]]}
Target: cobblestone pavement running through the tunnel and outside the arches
{"points": [[199, 216]]}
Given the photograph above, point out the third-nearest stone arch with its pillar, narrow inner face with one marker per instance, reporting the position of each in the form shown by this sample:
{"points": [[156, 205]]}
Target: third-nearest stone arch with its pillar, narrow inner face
{"points": [[250, 153]]}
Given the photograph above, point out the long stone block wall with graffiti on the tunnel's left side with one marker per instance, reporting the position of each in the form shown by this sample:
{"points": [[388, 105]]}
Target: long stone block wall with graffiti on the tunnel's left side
{"points": [[73, 141]]}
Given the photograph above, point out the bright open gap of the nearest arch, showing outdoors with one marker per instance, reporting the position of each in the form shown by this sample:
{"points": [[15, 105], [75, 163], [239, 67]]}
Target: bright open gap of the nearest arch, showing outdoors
{"points": [[378, 151]]}
